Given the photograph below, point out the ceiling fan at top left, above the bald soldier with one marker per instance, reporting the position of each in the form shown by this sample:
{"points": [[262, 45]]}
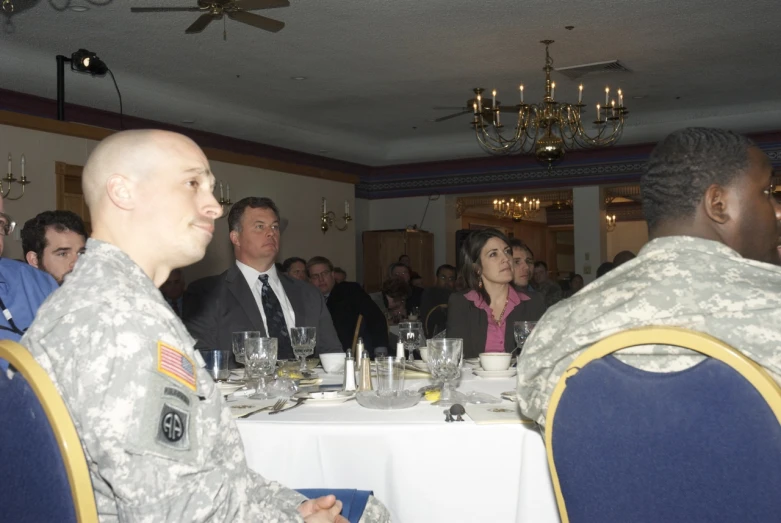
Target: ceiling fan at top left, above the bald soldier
{"points": [[235, 9]]}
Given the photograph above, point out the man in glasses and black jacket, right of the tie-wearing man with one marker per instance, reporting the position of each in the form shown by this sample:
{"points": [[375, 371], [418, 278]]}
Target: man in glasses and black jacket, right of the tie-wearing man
{"points": [[346, 301]]}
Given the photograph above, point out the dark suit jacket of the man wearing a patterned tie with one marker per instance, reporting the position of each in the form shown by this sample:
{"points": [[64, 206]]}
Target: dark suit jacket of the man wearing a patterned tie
{"points": [[217, 306]]}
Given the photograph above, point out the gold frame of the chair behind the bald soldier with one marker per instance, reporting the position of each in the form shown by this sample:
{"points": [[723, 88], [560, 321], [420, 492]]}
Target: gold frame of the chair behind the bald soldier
{"points": [[62, 426]]}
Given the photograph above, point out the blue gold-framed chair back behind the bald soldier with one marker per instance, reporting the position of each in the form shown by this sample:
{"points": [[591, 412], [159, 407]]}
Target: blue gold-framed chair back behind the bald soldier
{"points": [[45, 475]]}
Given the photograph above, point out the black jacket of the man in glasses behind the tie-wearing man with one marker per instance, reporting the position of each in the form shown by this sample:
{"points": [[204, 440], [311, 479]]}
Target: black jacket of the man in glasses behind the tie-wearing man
{"points": [[348, 300]]}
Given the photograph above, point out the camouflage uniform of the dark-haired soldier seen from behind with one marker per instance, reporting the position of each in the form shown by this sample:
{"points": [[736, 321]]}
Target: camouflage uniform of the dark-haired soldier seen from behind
{"points": [[680, 281]]}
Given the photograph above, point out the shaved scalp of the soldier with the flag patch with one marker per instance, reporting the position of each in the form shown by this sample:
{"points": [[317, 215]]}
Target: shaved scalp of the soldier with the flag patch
{"points": [[134, 154]]}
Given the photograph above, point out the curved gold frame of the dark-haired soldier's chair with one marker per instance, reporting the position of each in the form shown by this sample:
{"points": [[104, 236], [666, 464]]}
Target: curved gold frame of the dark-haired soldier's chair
{"points": [[673, 336]]}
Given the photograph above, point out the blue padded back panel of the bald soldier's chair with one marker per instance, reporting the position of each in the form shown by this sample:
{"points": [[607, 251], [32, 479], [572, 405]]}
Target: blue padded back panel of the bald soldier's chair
{"points": [[34, 484]]}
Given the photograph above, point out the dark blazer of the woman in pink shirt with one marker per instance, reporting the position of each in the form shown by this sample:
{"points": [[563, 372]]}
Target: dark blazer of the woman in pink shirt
{"points": [[466, 321]]}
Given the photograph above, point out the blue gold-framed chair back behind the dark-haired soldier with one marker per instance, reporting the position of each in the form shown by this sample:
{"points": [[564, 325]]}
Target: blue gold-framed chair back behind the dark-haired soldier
{"points": [[701, 444]]}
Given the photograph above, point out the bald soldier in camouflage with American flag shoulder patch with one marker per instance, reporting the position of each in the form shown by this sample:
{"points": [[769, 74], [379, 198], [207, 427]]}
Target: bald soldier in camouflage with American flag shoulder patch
{"points": [[160, 443]]}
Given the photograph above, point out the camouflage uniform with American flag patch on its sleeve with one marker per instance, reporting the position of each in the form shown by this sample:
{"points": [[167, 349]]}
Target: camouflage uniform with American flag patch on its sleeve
{"points": [[159, 442]]}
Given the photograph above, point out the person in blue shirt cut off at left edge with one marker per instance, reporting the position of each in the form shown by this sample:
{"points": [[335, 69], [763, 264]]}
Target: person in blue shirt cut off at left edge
{"points": [[22, 289]]}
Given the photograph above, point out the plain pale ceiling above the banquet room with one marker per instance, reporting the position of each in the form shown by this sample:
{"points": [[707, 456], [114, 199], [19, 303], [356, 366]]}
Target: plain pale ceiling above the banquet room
{"points": [[376, 68]]}
